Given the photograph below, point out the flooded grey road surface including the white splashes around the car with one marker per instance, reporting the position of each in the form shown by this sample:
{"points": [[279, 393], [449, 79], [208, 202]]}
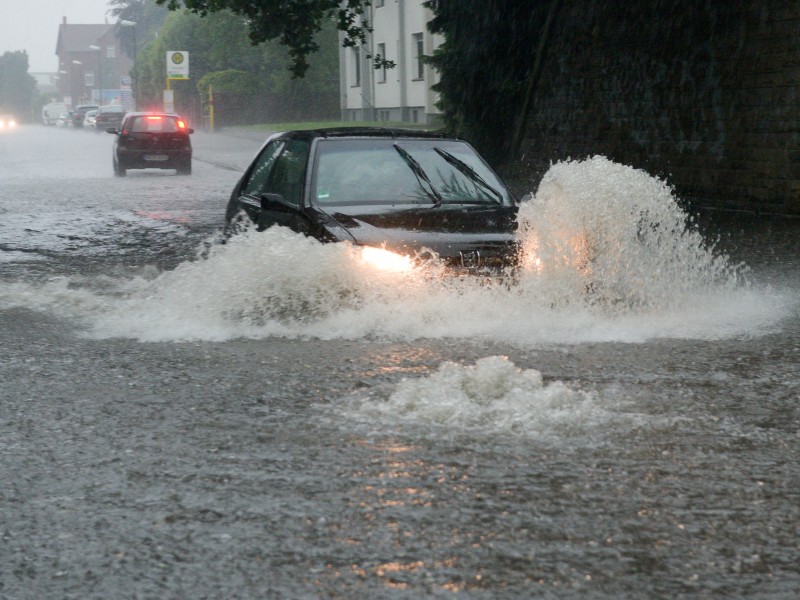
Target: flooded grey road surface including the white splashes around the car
{"points": [[170, 428]]}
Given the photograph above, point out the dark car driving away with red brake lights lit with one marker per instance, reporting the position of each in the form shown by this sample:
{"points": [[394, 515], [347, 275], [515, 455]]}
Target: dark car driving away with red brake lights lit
{"points": [[147, 140]]}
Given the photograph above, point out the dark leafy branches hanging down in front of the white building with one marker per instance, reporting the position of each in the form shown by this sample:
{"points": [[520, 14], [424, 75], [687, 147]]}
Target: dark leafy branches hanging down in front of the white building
{"points": [[295, 24]]}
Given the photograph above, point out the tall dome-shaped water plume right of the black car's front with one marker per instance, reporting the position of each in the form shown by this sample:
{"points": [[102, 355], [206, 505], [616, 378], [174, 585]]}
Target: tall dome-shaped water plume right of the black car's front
{"points": [[613, 237]]}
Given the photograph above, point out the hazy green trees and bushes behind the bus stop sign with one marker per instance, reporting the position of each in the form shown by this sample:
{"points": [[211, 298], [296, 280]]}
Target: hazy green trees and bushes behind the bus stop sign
{"points": [[220, 53]]}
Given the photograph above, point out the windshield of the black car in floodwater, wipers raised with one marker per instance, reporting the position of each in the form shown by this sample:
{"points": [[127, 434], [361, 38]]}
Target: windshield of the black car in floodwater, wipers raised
{"points": [[407, 171]]}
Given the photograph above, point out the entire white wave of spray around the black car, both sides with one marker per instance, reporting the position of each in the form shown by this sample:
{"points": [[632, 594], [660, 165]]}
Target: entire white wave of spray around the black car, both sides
{"points": [[609, 257]]}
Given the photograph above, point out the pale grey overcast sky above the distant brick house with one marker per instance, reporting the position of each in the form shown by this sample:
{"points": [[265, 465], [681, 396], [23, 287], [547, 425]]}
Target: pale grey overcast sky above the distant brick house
{"points": [[32, 25]]}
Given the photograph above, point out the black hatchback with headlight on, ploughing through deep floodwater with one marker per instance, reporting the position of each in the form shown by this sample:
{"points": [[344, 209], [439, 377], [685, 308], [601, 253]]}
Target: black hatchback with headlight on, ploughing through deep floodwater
{"points": [[408, 192]]}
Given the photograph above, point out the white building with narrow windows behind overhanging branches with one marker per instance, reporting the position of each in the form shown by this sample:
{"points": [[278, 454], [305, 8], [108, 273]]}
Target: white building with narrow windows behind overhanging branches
{"points": [[403, 93]]}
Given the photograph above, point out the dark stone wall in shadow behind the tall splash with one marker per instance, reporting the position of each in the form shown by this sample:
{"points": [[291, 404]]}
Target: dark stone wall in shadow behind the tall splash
{"points": [[705, 94]]}
